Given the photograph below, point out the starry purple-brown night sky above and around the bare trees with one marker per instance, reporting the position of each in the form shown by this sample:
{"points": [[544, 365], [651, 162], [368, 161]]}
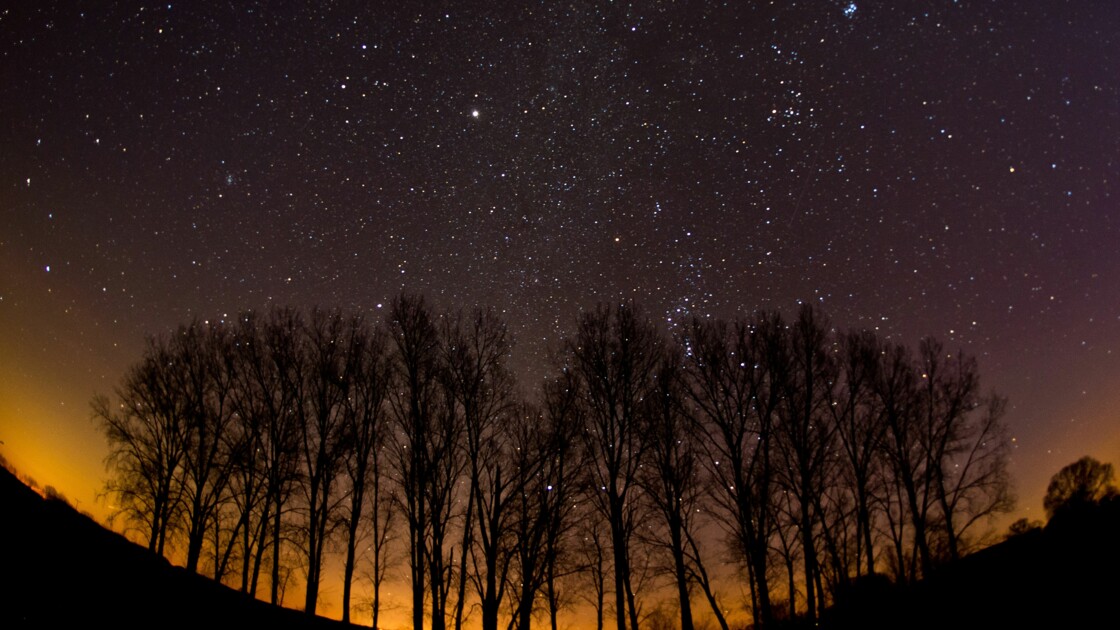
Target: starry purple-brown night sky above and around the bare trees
{"points": [[944, 169]]}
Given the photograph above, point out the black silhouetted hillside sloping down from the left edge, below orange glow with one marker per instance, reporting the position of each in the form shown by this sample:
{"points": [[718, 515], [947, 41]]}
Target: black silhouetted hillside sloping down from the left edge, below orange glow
{"points": [[62, 570]]}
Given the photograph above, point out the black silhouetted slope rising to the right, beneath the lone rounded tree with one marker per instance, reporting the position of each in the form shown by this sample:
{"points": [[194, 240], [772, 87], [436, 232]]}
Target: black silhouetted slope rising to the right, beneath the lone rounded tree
{"points": [[1065, 577]]}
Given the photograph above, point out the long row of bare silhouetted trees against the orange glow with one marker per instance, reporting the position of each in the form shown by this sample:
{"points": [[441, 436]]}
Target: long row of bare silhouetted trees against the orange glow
{"points": [[649, 464]]}
